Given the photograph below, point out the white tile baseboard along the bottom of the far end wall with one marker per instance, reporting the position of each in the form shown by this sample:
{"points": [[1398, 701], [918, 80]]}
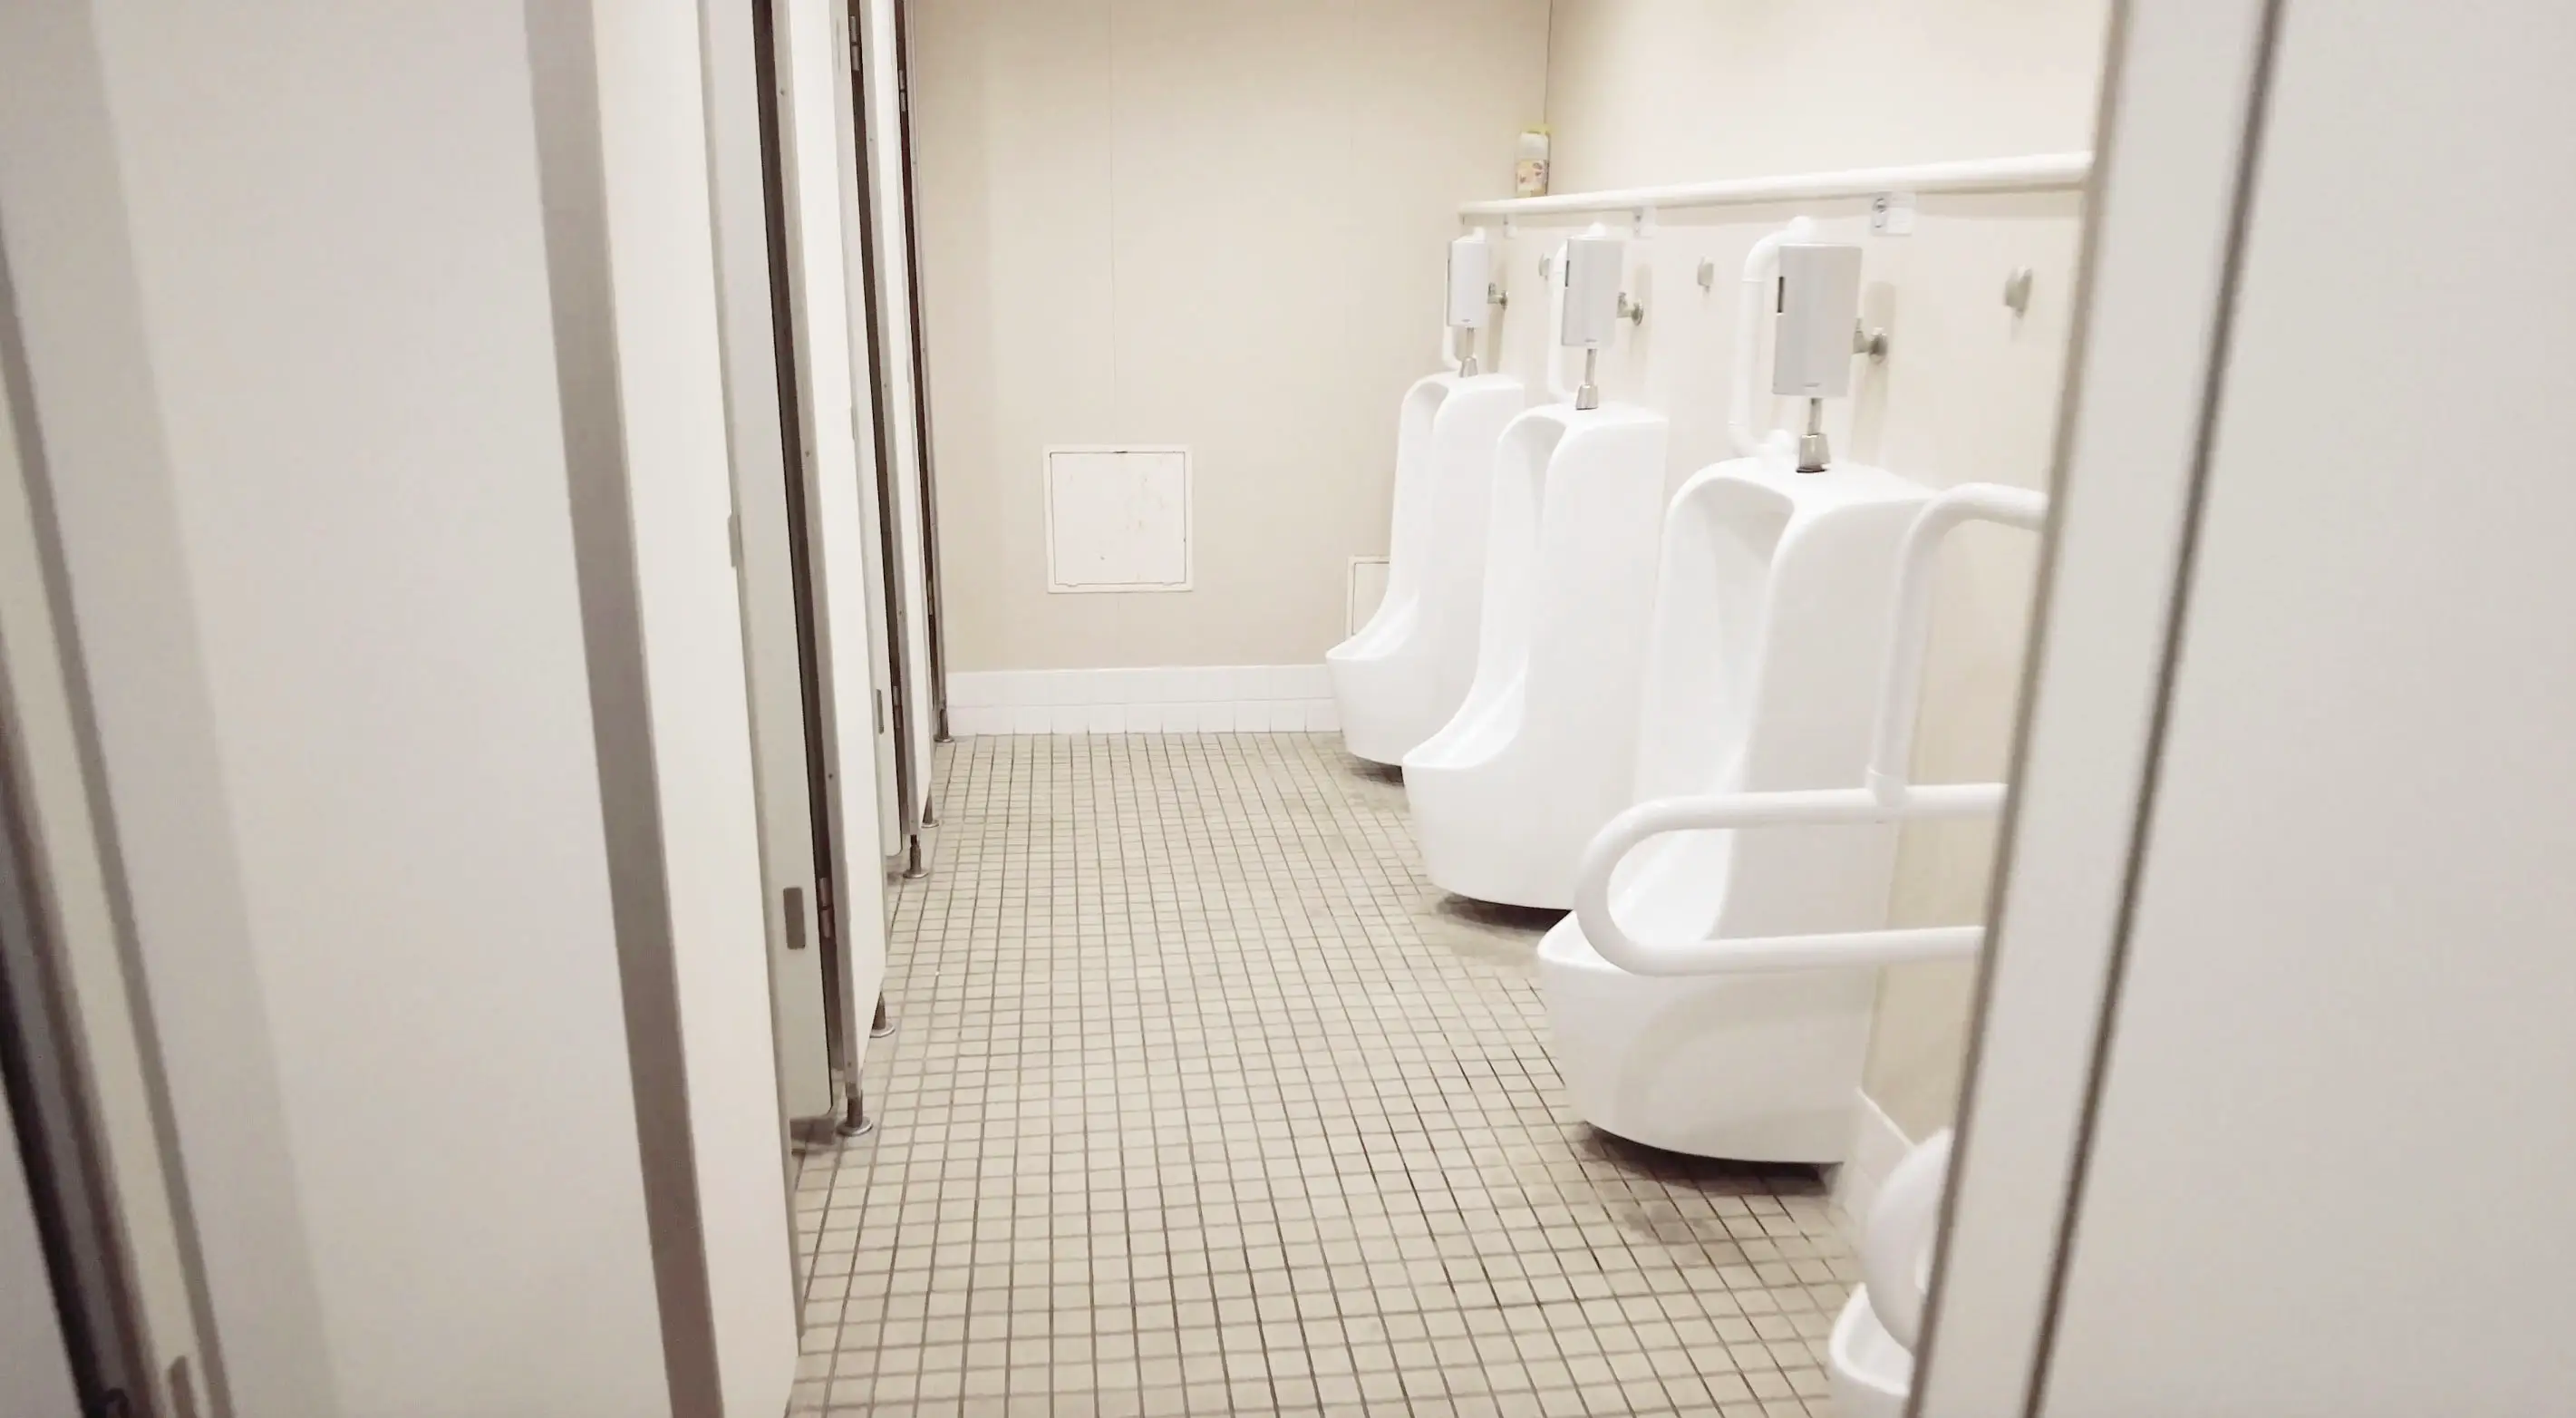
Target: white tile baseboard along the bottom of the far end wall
{"points": [[1191, 700]]}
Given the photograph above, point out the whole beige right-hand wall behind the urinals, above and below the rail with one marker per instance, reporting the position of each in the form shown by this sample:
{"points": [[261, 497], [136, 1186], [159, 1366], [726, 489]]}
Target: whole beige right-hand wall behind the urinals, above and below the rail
{"points": [[1660, 92]]}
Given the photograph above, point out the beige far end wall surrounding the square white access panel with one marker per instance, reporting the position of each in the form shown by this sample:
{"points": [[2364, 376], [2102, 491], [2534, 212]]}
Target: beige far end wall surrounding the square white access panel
{"points": [[1212, 223]]}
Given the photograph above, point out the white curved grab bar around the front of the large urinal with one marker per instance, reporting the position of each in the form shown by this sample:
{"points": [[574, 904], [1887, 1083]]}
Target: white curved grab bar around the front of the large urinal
{"points": [[1884, 798]]}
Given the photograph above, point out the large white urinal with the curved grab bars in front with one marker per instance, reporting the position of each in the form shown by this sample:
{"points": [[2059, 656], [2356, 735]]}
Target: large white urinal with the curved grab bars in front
{"points": [[1771, 633]]}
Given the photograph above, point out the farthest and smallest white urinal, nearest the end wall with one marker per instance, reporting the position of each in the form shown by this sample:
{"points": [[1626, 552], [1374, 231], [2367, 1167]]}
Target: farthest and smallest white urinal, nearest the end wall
{"points": [[1408, 669]]}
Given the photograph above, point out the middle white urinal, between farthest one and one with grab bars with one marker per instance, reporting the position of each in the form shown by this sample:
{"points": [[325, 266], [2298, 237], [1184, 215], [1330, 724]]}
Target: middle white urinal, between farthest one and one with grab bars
{"points": [[1544, 746]]}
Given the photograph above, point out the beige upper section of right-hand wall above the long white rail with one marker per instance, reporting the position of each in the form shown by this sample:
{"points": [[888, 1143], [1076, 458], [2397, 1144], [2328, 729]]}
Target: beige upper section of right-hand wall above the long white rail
{"points": [[1668, 92]]}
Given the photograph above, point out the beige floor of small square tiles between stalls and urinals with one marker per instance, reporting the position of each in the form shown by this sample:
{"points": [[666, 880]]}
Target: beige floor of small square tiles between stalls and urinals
{"points": [[1207, 1102]]}
